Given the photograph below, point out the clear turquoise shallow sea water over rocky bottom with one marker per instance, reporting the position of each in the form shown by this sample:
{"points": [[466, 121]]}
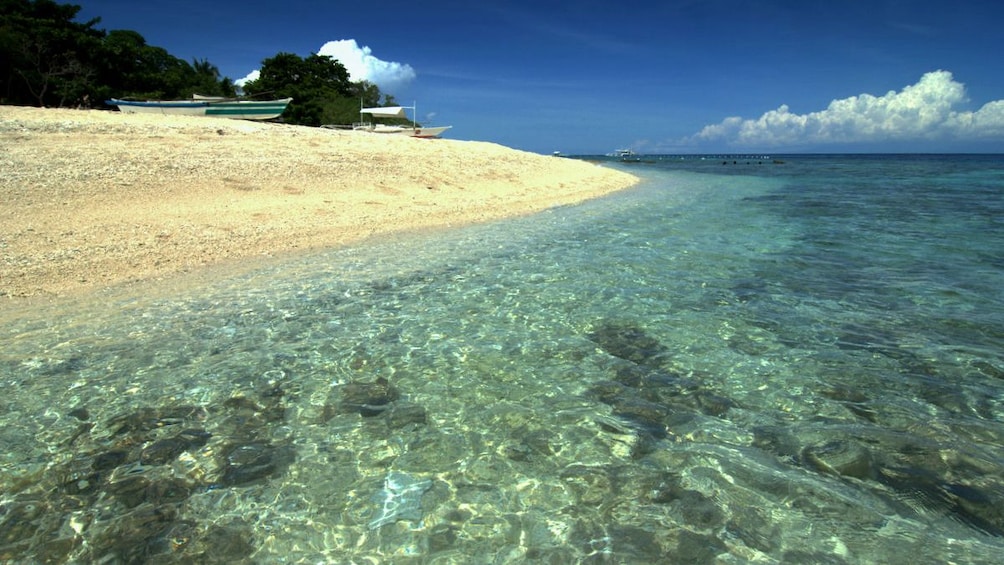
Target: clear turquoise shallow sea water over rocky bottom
{"points": [[794, 363]]}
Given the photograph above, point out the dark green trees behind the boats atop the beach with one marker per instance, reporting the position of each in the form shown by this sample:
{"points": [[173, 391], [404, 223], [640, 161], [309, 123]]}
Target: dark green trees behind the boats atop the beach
{"points": [[48, 59]]}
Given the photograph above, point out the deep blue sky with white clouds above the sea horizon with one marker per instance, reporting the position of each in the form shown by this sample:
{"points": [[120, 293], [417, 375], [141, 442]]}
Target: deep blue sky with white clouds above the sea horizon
{"points": [[588, 77]]}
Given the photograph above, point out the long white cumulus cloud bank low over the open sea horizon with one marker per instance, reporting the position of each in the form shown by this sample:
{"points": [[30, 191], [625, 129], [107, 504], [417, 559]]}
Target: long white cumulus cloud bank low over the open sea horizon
{"points": [[922, 112]]}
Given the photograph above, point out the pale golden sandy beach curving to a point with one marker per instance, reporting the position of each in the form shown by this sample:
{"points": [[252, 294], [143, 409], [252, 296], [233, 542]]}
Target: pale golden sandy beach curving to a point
{"points": [[93, 199]]}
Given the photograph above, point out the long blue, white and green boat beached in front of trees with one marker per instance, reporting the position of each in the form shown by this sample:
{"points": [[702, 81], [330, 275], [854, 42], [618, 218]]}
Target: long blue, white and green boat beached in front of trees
{"points": [[206, 106]]}
